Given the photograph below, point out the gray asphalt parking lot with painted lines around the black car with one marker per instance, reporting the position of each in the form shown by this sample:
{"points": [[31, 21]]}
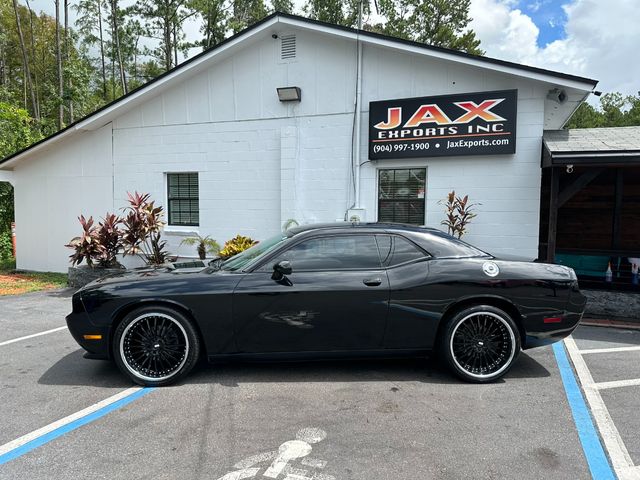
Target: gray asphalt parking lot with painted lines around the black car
{"points": [[395, 419]]}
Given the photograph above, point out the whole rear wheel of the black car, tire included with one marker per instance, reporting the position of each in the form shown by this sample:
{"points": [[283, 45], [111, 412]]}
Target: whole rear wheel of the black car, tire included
{"points": [[480, 343]]}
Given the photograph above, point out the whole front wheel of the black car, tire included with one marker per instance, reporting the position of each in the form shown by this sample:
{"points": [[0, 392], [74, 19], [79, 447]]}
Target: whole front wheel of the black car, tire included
{"points": [[155, 346]]}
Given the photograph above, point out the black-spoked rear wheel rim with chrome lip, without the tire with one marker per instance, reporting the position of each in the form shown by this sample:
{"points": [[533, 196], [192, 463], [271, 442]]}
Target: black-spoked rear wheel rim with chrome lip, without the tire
{"points": [[483, 345]]}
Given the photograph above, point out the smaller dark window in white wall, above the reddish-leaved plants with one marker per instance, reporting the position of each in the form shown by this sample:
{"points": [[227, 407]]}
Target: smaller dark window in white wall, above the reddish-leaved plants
{"points": [[183, 196]]}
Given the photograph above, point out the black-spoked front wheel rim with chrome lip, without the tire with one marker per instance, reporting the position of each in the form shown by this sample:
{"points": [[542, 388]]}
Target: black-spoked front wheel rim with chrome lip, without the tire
{"points": [[154, 347]]}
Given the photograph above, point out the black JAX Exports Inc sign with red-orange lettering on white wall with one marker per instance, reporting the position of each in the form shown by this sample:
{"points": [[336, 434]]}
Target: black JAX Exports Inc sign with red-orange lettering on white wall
{"points": [[481, 123]]}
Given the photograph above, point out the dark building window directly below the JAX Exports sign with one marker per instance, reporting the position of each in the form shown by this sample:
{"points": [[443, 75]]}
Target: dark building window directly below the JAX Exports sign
{"points": [[401, 195]]}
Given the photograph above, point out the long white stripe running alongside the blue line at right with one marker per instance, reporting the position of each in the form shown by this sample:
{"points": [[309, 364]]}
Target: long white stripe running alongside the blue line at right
{"points": [[618, 453]]}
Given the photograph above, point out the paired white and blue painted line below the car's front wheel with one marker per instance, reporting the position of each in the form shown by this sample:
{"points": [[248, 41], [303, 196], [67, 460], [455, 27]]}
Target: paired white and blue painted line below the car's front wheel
{"points": [[35, 439]]}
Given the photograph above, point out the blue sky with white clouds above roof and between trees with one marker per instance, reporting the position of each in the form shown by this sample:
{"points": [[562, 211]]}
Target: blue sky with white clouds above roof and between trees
{"points": [[591, 38]]}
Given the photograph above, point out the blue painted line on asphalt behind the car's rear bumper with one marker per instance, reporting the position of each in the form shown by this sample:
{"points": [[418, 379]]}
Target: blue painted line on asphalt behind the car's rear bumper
{"points": [[596, 458]]}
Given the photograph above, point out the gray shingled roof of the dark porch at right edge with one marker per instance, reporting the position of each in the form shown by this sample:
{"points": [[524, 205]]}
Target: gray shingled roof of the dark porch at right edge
{"points": [[603, 140]]}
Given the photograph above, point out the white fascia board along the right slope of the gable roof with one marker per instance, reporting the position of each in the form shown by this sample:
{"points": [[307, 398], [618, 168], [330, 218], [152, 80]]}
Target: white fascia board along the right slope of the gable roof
{"points": [[487, 65]]}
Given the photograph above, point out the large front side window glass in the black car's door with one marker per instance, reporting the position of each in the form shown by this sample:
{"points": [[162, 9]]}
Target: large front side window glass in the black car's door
{"points": [[343, 252]]}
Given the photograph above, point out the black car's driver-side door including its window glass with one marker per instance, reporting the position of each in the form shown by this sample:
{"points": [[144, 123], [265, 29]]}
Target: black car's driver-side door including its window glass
{"points": [[335, 298]]}
